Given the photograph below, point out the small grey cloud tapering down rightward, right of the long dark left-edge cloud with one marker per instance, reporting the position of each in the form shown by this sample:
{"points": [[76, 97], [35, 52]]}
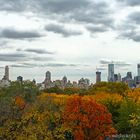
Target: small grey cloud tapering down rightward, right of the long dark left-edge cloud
{"points": [[59, 29]]}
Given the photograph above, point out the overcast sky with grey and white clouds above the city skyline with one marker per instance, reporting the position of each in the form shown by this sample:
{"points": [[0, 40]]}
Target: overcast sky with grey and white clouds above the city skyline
{"points": [[69, 37]]}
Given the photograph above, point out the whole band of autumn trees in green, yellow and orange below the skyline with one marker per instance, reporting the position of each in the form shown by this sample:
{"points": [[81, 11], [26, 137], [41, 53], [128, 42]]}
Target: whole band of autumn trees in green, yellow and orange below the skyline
{"points": [[102, 111]]}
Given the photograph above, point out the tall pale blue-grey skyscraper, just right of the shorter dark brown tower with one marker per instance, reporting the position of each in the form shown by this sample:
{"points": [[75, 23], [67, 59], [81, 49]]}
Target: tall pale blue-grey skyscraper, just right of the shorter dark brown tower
{"points": [[110, 72]]}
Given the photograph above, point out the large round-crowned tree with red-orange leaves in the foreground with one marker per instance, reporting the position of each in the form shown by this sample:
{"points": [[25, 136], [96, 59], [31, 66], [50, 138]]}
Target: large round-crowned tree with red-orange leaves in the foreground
{"points": [[87, 119]]}
